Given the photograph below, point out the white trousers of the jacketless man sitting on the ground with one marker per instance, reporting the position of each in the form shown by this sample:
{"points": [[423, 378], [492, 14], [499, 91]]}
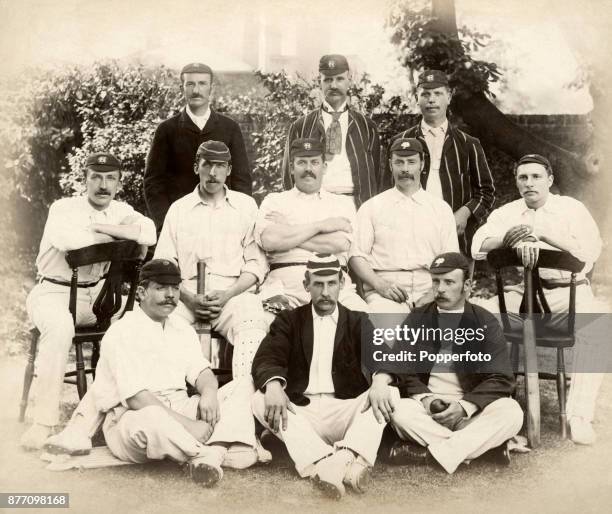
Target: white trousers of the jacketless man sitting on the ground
{"points": [[152, 433]]}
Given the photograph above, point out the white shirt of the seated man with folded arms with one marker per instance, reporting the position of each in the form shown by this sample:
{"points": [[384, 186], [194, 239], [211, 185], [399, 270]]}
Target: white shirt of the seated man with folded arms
{"points": [[298, 208]]}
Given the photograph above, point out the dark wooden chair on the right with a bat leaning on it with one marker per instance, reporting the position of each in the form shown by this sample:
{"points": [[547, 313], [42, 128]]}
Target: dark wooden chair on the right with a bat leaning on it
{"points": [[533, 305]]}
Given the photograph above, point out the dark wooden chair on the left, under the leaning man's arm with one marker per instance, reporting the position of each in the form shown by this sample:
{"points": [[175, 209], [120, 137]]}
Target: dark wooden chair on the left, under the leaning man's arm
{"points": [[125, 258]]}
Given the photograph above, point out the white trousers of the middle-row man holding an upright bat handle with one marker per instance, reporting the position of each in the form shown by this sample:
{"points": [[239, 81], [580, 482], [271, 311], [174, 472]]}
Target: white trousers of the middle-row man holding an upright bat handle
{"points": [[241, 322]]}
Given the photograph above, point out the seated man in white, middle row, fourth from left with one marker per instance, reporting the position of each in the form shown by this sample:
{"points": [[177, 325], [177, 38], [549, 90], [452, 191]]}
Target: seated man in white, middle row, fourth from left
{"points": [[399, 232]]}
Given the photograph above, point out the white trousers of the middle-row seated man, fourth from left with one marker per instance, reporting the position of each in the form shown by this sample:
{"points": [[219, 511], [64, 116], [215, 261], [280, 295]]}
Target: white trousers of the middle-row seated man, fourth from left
{"points": [[416, 283]]}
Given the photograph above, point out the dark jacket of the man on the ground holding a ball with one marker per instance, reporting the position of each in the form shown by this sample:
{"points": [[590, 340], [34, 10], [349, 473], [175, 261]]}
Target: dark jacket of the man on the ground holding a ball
{"points": [[486, 381]]}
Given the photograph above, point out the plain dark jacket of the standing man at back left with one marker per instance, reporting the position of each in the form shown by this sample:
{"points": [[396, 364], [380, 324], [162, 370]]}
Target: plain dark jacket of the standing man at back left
{"points": [[169, 172]]}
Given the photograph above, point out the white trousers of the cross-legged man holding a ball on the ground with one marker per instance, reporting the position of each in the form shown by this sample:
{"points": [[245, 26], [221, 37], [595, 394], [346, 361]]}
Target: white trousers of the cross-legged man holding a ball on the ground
{"points": [[498, 422]]}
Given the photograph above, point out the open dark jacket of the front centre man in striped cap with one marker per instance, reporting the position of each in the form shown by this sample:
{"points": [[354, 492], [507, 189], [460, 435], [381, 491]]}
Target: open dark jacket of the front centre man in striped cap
{"points": [[287, 352]]}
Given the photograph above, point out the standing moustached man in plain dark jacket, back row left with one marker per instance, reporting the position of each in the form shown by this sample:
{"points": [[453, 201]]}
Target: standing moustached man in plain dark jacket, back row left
{"points": [[169, 169]]}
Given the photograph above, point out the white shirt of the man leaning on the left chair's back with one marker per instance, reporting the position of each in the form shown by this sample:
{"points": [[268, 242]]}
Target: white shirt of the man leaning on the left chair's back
{"points": [[68, 228]]}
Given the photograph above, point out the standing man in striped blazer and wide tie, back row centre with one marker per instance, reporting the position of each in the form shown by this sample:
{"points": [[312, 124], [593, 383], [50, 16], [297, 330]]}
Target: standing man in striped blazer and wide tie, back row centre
{"points": [[352, 147]]}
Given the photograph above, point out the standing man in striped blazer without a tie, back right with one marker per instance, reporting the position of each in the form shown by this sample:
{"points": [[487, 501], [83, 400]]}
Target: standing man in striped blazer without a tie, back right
{"points": [[456, 168]]}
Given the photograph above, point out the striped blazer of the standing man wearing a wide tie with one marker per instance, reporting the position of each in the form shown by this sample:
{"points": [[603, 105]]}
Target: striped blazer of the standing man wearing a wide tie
{"points": [[362, 150]]}
